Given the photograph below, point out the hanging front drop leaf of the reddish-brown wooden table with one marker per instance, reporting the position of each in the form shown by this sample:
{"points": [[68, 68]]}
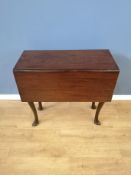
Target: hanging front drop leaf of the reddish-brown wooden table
{"points": [[66, 86]]}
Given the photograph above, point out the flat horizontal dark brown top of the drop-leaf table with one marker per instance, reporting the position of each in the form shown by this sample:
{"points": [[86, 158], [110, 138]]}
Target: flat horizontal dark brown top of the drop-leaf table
{"points": [[66, 60]]}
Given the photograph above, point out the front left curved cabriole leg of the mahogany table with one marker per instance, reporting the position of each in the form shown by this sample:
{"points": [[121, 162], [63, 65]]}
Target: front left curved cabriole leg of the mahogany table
{"points": [[32, 106]]}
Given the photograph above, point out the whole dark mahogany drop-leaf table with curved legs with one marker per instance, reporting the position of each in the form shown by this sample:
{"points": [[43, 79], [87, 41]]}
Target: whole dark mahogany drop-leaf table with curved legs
{"points": [[66, 76]]}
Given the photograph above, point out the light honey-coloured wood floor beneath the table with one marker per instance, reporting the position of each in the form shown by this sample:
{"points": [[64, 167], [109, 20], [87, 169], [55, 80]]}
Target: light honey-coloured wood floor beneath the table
{"points": [[66, 142]]}
